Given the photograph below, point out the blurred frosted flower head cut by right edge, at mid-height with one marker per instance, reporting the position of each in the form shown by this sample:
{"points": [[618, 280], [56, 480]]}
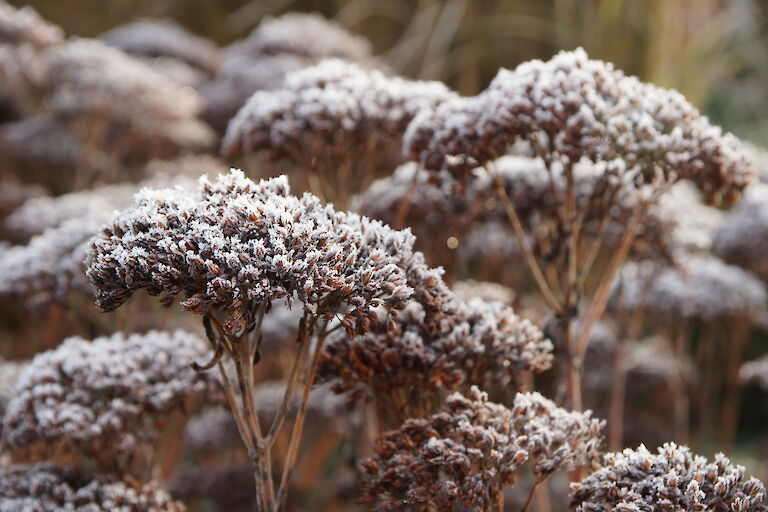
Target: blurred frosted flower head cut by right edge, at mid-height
{"points": [[743, 238]]}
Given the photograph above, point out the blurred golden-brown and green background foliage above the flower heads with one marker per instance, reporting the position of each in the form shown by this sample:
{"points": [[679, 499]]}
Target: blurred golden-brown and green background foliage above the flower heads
{"points": [[713, 51]]}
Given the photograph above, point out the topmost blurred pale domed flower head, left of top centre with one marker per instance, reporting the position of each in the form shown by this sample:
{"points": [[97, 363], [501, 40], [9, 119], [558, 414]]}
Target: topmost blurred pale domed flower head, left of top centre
{"points": [[306, 35]]}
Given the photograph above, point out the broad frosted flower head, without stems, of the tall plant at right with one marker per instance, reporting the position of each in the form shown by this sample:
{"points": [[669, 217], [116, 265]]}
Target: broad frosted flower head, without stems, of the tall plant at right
{"points": [[572, 108]]}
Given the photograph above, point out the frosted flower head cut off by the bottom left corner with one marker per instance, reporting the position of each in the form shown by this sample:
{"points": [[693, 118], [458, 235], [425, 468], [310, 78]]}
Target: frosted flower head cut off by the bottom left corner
{"points": [[49, 488]]}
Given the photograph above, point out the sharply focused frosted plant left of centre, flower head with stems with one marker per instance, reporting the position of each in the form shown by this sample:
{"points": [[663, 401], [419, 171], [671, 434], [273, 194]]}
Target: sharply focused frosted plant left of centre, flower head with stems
{"points": [[231, 250]]}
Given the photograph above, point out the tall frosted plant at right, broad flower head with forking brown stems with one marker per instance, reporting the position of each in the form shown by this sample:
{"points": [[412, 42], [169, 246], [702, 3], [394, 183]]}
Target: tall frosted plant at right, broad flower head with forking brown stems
{"points": [[568, 111]]}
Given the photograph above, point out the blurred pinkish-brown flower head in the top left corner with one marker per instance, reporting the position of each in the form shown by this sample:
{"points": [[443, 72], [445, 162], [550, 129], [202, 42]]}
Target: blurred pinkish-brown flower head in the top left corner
{"points": [[25, 26]]}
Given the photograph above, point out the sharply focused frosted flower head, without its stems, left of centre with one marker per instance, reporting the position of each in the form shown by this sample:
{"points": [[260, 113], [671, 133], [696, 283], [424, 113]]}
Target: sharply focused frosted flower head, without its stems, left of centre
{"points": [[235, 244]]}
